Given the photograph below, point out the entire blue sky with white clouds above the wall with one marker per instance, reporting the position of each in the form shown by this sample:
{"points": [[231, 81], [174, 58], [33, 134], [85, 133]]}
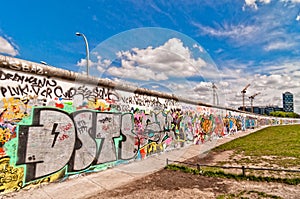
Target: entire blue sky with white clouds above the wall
{"points": [[174, 46]]}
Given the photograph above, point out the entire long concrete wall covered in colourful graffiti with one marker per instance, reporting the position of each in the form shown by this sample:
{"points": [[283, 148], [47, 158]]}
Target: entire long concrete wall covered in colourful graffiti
{"points": [[56, 123]]}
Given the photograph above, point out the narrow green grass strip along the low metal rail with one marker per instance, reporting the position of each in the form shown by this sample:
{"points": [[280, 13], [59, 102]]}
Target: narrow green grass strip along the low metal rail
{"points": [[221, 174]]}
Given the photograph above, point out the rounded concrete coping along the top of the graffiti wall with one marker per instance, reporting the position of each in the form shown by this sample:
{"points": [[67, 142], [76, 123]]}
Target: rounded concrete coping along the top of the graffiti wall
{"points": [[20, 65]]}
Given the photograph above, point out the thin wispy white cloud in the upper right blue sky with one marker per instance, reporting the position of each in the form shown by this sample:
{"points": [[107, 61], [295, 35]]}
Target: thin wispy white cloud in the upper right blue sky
{"points": [[261, 30]]}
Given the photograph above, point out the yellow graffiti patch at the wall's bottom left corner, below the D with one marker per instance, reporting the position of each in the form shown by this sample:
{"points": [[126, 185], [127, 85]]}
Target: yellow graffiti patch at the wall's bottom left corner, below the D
{"points": [[10, 177]]}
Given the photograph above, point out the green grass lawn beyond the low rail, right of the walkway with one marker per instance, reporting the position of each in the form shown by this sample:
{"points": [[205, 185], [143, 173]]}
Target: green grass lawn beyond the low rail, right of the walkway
{"points": [[281, 142]]}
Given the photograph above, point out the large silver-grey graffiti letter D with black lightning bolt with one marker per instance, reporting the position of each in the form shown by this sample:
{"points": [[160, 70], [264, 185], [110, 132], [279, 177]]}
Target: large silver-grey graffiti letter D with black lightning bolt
{"points": [[47, 145]]}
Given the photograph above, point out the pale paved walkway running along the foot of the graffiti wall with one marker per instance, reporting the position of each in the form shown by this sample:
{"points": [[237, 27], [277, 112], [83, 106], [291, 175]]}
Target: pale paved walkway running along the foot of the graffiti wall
{"points": [[88, 185]]}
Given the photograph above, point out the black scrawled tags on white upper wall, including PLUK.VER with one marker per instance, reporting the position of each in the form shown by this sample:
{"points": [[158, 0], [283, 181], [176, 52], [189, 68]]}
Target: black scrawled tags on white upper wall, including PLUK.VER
{"points": [[30, 85]]}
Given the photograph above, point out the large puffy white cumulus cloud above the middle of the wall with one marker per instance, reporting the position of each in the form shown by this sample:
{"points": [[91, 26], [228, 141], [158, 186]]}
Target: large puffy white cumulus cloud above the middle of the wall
{"points": [[172, 59]]}
